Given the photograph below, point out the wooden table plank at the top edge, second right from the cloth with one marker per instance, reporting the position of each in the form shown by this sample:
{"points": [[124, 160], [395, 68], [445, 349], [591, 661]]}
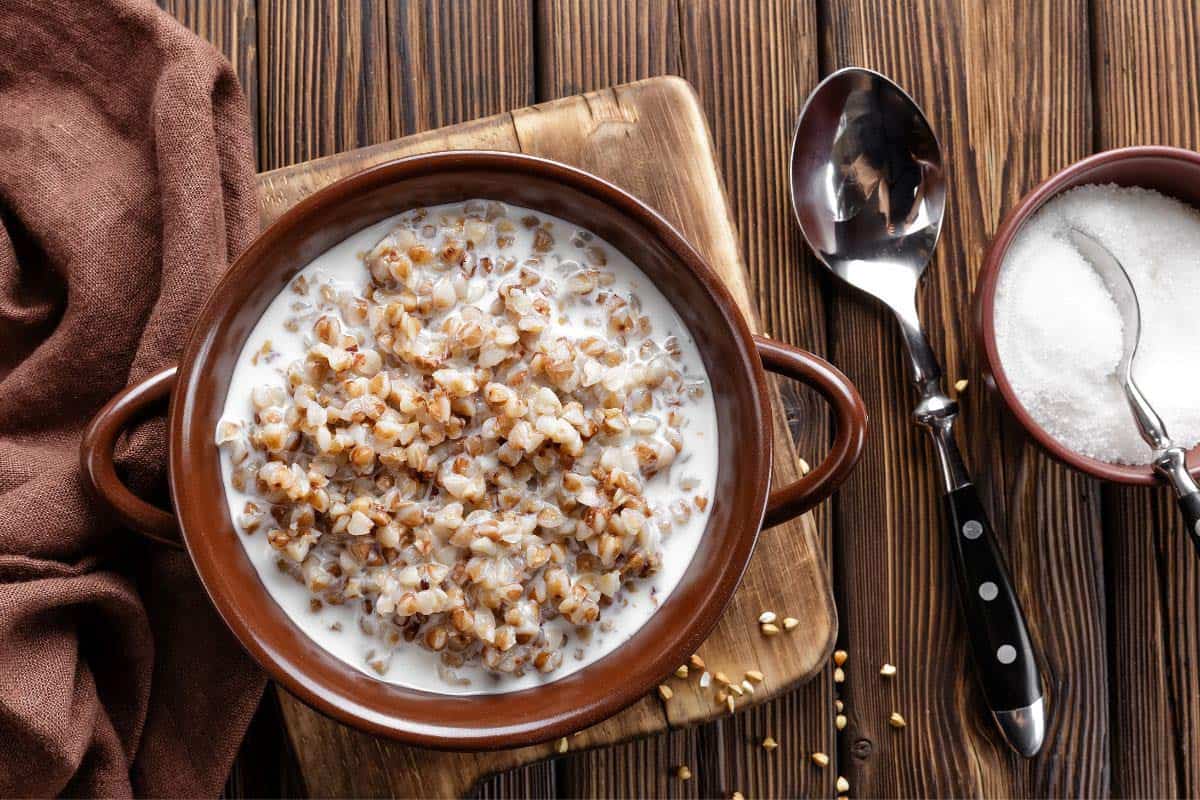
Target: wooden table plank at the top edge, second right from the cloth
{"points": [[323, 79]]}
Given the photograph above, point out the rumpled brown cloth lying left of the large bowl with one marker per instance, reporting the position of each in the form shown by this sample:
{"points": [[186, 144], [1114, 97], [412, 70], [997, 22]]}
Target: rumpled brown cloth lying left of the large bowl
{"points": [[127, 188]]}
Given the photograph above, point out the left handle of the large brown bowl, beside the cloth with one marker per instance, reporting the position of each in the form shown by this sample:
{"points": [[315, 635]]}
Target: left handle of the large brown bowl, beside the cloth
{"points": [[100, 473]]}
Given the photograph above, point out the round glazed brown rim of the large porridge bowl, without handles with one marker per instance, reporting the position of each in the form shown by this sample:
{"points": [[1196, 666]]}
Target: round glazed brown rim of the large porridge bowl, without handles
{"points": [[341, 690]]}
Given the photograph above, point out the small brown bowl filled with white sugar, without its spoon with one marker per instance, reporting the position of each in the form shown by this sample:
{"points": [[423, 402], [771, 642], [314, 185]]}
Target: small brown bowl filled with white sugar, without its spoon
{"points": [[1051, 332]]}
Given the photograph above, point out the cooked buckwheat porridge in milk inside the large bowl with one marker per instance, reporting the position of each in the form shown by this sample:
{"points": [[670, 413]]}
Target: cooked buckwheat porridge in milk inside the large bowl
{"points": [[470, 449]]}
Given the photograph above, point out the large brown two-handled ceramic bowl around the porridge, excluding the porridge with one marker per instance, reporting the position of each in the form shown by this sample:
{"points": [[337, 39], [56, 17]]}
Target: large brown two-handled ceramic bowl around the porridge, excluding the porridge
{"points": [[733, 356]]}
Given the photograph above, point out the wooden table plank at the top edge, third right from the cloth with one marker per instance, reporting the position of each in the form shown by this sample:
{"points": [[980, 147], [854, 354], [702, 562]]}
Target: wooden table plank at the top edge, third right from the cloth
{"points": [[458, 61]]}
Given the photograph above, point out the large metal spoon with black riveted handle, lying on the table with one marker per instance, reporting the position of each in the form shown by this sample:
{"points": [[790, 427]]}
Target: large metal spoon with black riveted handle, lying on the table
{"points": [[869, 194]]}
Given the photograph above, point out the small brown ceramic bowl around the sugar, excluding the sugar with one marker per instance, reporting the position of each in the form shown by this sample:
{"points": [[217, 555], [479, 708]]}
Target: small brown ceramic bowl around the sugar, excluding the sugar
{"points": [[1169, 171]]}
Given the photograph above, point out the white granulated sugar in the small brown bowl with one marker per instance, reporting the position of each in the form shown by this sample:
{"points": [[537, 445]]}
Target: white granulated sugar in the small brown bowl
{"points": [[1059, 330]]}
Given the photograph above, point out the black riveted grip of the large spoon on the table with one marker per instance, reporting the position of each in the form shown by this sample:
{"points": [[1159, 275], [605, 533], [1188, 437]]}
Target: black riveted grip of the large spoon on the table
{"points": [[1000, 642]]}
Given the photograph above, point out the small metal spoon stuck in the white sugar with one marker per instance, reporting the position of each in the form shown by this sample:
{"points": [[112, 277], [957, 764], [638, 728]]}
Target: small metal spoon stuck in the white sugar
{"points": [[1168, 458]]}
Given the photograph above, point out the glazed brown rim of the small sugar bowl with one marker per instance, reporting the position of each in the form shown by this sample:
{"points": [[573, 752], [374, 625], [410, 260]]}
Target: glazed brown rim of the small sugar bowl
{"points": [[986, 297]]}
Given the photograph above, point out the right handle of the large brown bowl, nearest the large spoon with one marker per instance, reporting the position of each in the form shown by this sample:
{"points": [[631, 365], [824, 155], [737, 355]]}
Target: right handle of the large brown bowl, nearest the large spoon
{"points": [[850, 416]]}
